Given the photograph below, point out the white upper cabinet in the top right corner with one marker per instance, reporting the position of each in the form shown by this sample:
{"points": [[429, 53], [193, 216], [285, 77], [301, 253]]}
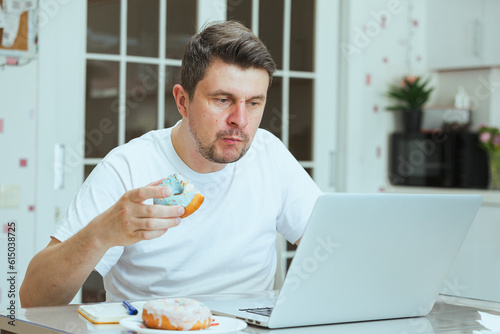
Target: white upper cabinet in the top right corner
{"points": [[463, 33]]}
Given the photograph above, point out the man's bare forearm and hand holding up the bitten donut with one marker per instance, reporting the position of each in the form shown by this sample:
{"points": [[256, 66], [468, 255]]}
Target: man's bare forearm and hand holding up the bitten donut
{"points": [[56, 273]]}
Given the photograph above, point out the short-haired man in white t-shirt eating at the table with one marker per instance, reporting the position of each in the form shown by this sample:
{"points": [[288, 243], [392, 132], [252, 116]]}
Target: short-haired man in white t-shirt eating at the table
{"points": [[252, 185]]}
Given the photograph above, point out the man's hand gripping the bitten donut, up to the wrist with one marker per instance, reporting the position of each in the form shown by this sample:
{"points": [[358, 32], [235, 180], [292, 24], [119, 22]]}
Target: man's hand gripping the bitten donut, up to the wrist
{"points": [[130, 220]]}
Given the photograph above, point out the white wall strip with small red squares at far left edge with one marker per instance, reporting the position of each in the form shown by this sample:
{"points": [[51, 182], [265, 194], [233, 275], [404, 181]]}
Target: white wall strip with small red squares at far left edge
{"points": [[18, 130]]}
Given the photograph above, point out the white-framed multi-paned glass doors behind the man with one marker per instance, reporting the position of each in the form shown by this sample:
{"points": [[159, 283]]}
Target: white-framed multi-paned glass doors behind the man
{"points": [[134, 51]]}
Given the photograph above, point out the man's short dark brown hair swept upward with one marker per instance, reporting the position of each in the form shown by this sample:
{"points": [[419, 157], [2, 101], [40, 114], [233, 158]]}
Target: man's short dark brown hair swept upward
{"points": [[229, 41]]}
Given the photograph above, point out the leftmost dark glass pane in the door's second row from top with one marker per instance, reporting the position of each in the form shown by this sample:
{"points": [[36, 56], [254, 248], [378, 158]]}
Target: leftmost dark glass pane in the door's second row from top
{"points": [[101, 108]]}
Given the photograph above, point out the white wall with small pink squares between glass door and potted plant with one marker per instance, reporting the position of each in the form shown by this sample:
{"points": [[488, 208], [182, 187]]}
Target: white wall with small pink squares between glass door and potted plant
{"points": [[374, 53]]}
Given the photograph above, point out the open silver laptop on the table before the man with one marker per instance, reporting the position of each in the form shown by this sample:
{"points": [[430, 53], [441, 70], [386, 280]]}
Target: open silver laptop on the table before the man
{"points": [[365, 257]]}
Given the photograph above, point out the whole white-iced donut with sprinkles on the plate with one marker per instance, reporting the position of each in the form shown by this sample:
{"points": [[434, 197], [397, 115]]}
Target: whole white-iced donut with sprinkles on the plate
{"points": [[176, 314]]}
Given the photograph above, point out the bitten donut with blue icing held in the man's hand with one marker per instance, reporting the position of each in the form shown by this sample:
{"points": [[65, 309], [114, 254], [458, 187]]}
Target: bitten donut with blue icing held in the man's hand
{"points": [[183, 193]]}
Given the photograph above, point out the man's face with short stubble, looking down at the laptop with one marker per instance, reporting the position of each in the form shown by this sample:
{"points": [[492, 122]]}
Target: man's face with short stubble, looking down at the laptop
{"points": [[226, 110]]}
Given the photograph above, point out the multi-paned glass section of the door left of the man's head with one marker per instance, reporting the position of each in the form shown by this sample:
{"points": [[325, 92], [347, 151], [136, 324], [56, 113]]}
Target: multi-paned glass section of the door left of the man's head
{"points": [[133, 59]]}
